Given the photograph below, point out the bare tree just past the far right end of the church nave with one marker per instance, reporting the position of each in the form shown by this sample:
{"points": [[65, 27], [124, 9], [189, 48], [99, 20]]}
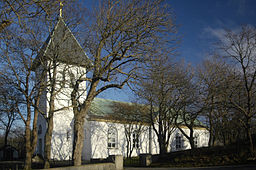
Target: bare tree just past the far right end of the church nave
{"points": [[211, 74]]}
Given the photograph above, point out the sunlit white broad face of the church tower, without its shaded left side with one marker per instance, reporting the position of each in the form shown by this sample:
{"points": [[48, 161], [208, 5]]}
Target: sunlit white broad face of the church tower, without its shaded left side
{"points": [[63, 120]]}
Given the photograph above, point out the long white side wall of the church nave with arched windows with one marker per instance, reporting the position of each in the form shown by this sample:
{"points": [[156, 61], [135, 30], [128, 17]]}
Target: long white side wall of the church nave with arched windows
{"points": [[96, 140]]}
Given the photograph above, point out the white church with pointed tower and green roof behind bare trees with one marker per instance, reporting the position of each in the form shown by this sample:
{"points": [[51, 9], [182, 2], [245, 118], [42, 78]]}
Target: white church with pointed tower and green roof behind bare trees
{"points": [[103, 136]]}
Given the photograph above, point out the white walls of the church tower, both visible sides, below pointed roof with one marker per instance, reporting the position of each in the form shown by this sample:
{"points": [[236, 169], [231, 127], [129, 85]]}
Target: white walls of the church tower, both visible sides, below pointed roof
{"points": [[62, 120]]}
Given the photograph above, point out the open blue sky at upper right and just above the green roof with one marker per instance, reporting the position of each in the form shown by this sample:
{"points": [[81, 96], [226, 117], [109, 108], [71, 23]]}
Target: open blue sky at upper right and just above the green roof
{"points": [[201, 24]]}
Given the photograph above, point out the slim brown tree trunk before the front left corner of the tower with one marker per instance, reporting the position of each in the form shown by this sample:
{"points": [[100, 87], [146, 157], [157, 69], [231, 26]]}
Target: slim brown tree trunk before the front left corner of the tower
{"points": [[47, 142]]}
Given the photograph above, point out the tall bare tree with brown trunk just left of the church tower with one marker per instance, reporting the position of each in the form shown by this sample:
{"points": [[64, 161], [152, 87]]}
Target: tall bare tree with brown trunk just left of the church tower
{"points": [[21, 76]]}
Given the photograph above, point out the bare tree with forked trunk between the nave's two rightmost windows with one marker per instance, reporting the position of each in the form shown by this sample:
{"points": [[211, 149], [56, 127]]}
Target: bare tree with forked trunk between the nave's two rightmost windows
{"points": [[190, 106]]}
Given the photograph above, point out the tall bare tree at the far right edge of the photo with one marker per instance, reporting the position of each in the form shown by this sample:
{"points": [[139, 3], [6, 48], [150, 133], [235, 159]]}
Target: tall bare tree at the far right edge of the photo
{"points": [[240, 49]]}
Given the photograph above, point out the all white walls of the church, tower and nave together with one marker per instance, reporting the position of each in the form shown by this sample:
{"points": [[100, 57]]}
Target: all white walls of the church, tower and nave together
{"points": [[96, 143]]}
